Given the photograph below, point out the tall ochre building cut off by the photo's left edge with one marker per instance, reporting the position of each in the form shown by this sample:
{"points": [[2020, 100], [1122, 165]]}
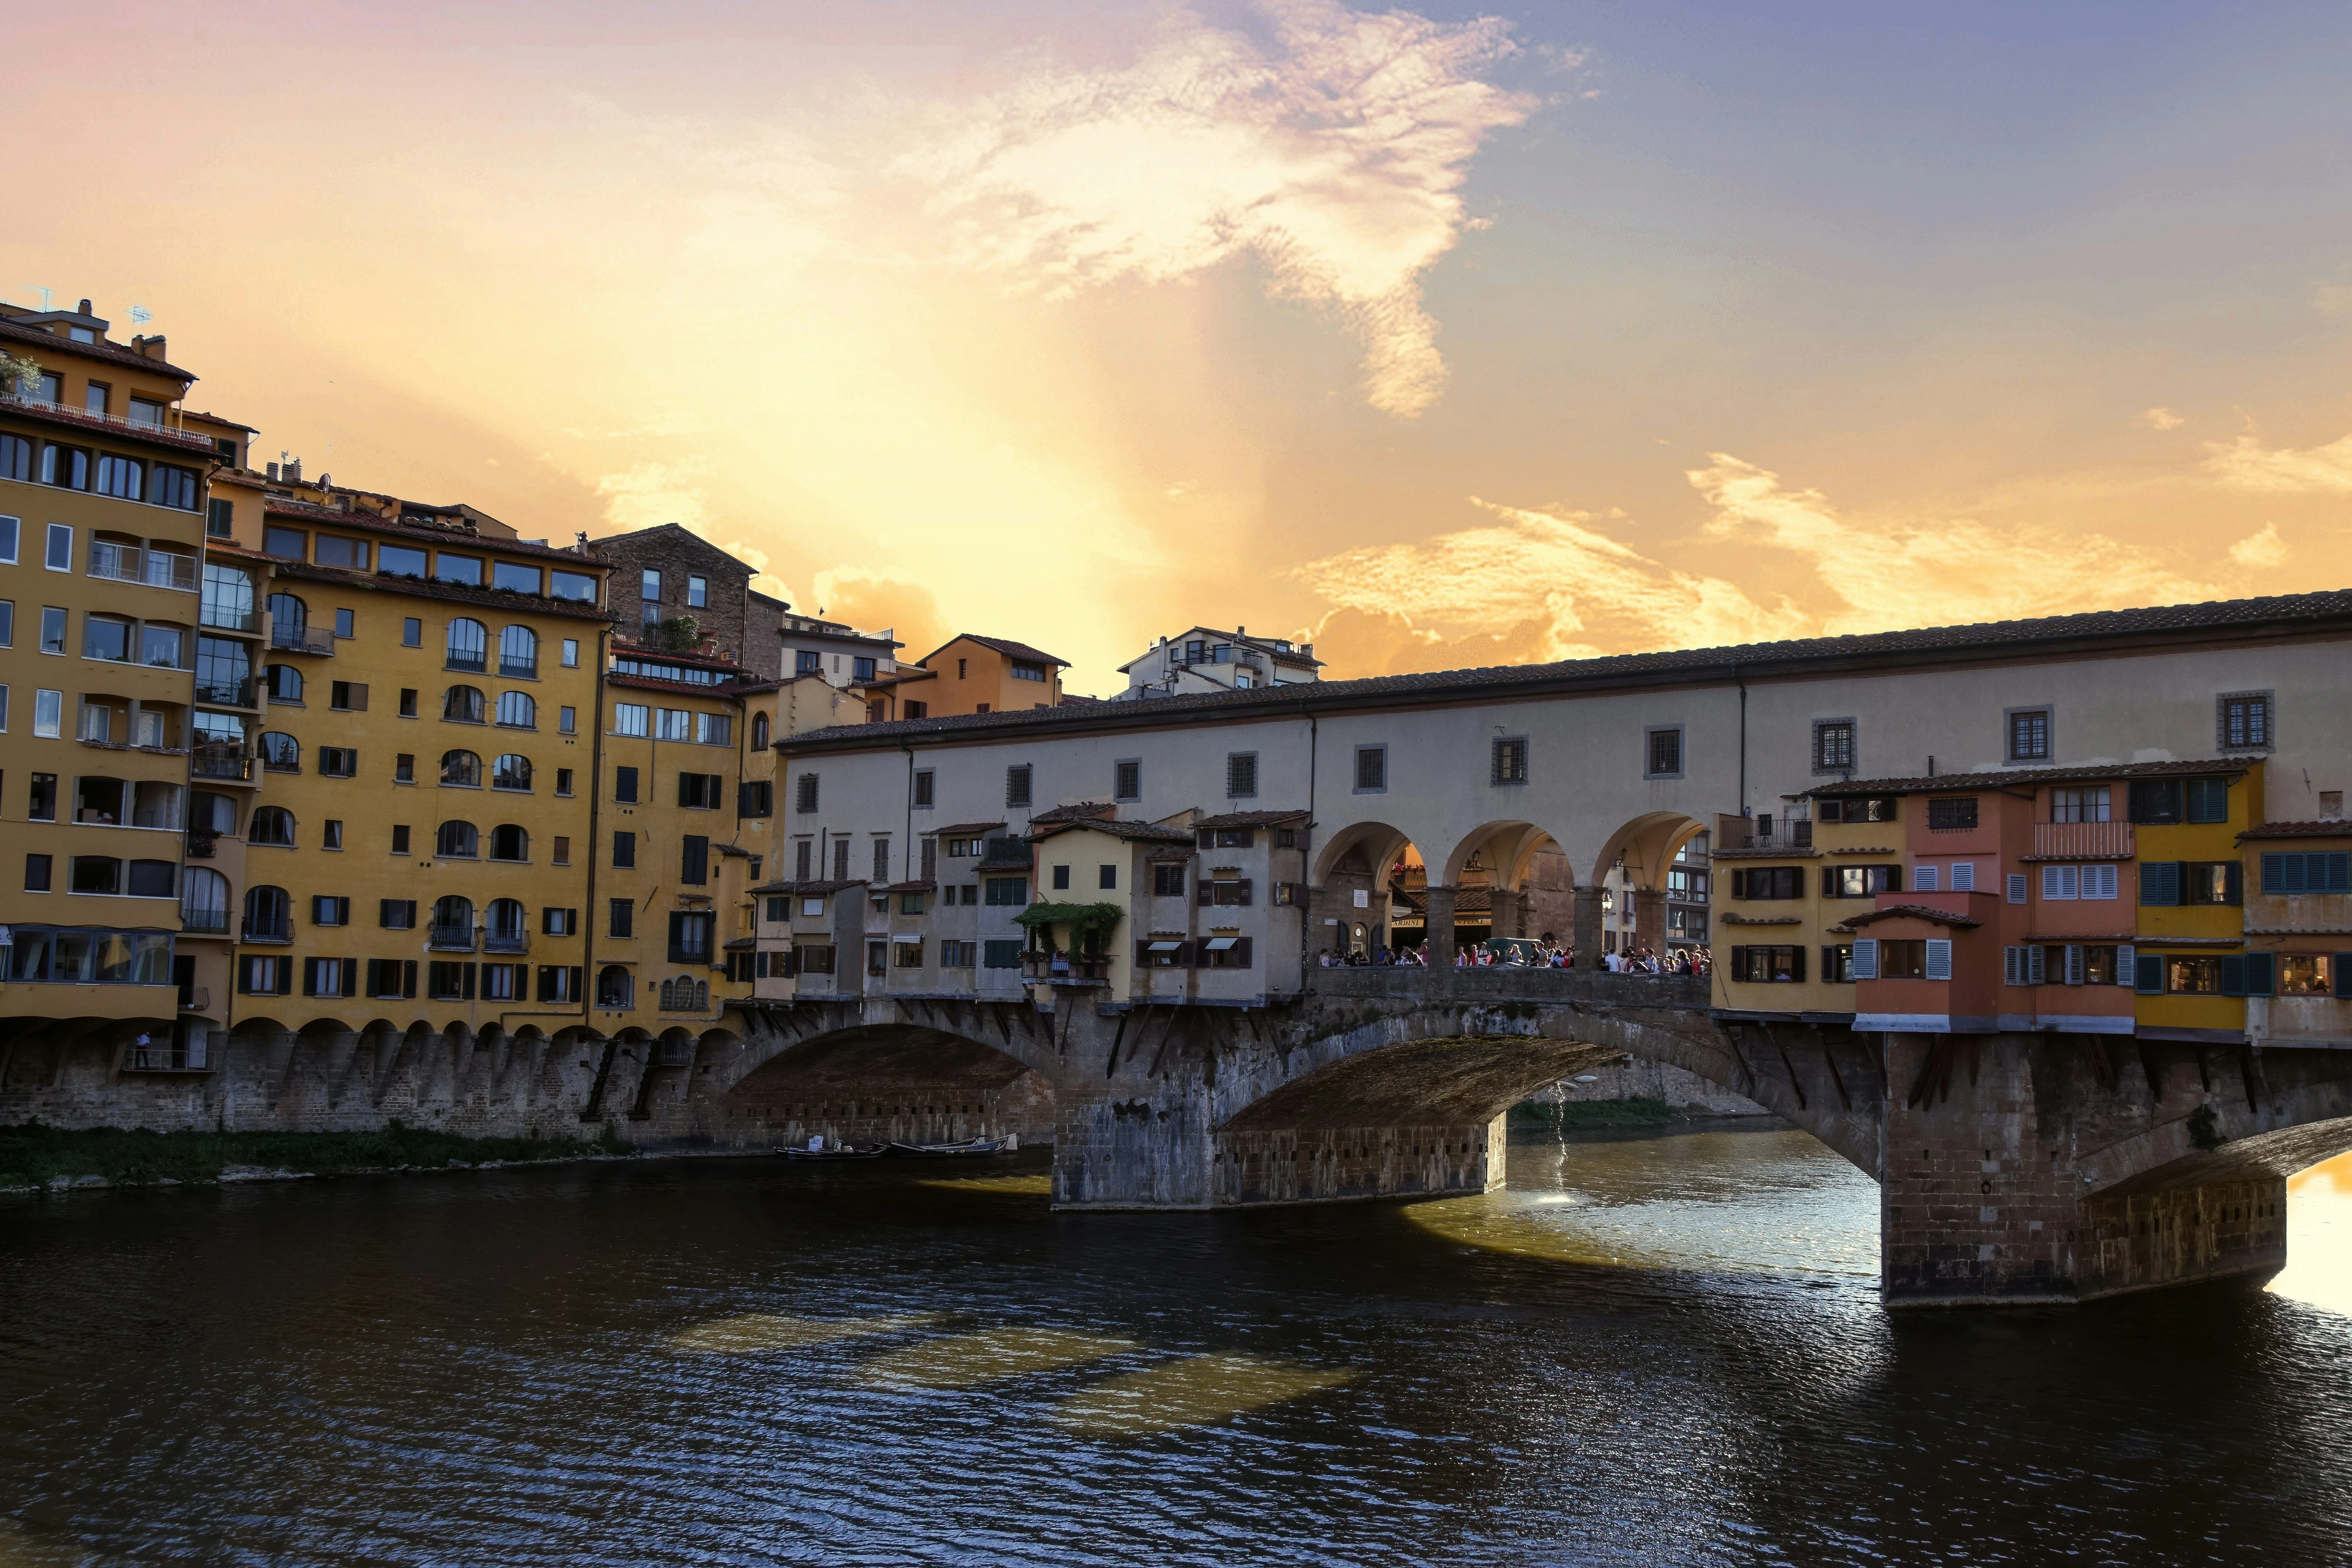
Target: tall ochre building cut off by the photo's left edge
{"points": [[105, 485]]}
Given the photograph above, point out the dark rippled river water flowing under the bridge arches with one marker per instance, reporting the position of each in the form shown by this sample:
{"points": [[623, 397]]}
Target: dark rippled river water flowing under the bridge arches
{"points": [[1648, 1351]]}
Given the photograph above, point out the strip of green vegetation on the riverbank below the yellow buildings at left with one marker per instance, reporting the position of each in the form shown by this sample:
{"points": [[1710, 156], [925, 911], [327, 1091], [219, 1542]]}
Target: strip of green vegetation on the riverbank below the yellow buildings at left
{"points": [[34, 1155]]}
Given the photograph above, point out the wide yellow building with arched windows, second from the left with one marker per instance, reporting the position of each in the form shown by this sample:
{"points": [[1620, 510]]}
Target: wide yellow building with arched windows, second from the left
{"points": [[401, 751]]}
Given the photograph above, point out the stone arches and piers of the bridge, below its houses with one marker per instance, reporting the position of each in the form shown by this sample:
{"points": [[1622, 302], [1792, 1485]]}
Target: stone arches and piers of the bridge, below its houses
{"points": [[2012, 1167]]}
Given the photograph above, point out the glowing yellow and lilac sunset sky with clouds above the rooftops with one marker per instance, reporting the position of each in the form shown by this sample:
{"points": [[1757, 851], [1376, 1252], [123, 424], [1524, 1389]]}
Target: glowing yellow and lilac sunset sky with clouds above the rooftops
{"points": [[1436, 335]]}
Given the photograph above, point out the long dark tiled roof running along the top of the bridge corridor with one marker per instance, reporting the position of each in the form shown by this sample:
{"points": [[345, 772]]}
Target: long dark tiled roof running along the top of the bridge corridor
{"points": [[2118, 631]]}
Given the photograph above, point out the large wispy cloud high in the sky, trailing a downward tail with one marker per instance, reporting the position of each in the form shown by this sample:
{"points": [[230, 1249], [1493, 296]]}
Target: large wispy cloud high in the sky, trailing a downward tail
{"points": [[1335, 154]]}
